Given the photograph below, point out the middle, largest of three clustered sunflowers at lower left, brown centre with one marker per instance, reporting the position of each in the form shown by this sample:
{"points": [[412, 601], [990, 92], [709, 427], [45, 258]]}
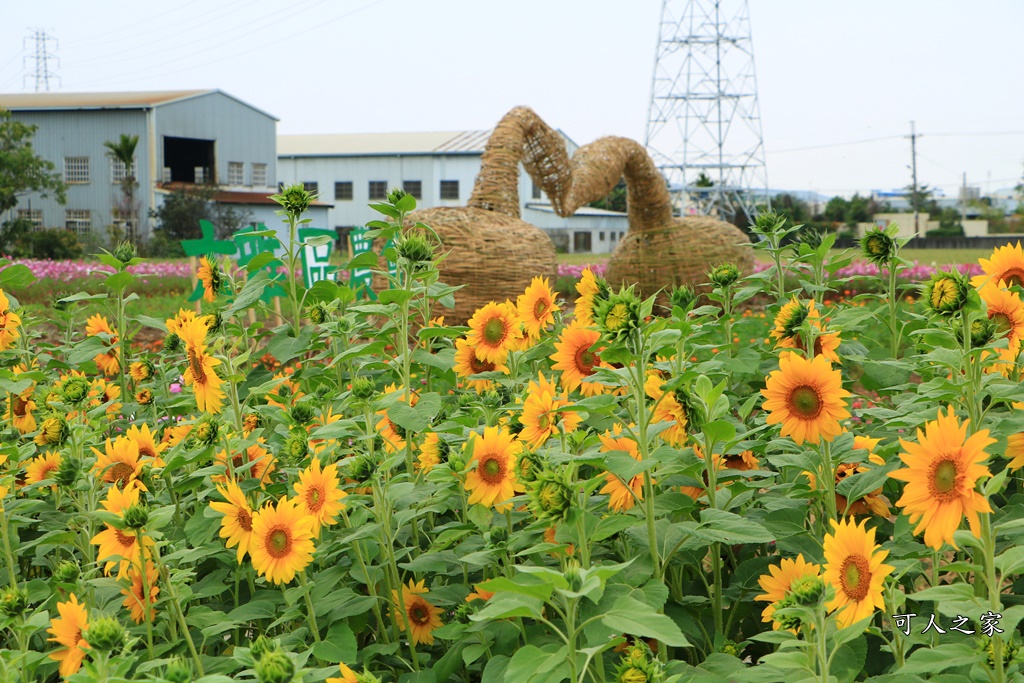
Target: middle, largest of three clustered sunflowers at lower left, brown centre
{"points": [[282, 542]]}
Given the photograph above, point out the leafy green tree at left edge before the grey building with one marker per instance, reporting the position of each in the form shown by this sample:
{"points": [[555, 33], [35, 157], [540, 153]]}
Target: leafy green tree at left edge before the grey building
{"points": [[21, 169]]}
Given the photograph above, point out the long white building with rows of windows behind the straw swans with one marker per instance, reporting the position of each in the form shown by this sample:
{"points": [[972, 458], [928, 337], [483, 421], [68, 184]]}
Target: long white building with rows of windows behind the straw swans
{"points": [[438, 168]]}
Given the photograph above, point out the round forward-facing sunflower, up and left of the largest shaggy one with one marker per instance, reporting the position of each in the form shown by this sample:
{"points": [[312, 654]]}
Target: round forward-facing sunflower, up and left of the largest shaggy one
{"points": [[807, 398]]}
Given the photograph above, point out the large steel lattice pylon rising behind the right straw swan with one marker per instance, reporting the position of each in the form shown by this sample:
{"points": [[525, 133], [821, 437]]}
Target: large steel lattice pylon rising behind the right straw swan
{"points": [[704, 116]]}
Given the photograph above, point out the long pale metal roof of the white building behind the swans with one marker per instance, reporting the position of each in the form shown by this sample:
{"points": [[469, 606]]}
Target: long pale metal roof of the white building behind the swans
{"points": [[361, 145]]}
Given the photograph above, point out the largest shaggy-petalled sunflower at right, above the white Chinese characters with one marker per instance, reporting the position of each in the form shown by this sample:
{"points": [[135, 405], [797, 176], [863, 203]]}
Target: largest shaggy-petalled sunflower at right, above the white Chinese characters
{"points": [[942, 472]]}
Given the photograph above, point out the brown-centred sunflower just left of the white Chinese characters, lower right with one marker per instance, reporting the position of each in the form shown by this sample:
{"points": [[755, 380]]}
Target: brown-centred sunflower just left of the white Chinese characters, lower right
{"points": [[855, 569]]}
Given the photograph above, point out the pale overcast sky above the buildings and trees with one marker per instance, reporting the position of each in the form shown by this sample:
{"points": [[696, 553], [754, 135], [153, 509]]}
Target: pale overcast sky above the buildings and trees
{"points": [[829, 73]]}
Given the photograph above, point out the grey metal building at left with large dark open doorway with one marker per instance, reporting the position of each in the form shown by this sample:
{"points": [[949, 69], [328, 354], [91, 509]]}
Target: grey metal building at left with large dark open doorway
{"points": [[186, 138]]}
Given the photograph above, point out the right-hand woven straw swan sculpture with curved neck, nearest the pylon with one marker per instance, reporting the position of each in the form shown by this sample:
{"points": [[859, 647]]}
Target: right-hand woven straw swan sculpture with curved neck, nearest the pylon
{"points": [[659, 251]]}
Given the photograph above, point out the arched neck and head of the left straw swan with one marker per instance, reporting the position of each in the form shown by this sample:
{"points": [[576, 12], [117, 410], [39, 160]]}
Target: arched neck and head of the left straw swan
{"points": [[522, 138]]}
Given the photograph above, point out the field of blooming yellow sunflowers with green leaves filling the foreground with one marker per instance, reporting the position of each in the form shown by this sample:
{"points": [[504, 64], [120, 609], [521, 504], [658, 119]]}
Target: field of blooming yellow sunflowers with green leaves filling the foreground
{"points": [[605, 488]]}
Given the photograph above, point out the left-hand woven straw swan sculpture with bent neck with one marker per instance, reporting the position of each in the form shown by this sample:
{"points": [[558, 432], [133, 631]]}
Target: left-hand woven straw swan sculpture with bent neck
{"points": [[491, 251]]}
